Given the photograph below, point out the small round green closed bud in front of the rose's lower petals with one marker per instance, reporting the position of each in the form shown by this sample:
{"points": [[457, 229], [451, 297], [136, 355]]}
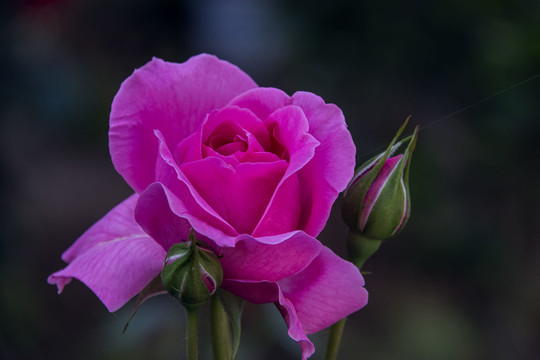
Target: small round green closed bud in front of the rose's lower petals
{"points": [[191, 273]]}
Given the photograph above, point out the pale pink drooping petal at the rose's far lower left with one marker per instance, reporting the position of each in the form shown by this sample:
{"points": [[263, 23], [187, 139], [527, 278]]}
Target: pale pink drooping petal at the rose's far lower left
{"points": [[114, 258]]}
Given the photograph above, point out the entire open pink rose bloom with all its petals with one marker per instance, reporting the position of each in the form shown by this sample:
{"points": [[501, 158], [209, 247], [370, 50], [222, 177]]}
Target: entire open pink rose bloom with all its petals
{"points": [[252, 170]]}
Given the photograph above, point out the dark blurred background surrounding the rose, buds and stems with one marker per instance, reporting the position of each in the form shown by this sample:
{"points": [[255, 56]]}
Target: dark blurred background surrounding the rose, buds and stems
{"points": [[462, 281]]}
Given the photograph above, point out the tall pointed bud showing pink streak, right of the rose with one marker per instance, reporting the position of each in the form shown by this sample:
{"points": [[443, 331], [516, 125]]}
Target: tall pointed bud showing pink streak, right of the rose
{"points": [[377, 202]]}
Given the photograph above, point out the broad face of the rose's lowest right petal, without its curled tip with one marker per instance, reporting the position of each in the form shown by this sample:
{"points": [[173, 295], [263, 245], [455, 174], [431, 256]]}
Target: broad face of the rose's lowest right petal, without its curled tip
{"points": [[328, 290]]}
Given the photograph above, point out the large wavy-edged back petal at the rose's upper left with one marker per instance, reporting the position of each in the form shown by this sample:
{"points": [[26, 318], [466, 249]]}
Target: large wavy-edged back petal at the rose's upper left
{"points": [[169, 97]]}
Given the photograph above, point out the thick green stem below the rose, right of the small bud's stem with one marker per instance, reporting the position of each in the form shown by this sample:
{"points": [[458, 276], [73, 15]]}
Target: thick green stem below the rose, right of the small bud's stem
{"points": [[221, 336]]}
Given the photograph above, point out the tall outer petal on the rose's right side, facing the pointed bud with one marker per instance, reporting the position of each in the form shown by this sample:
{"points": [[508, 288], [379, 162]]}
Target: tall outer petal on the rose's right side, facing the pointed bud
{"points": [[332, 166]]}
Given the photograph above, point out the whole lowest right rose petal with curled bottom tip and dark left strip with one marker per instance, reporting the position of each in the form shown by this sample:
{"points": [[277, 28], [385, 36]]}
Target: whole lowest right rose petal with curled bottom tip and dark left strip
{"points": [[328, 290]]}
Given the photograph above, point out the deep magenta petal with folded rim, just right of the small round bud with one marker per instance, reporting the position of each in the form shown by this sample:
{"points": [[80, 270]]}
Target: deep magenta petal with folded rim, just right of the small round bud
{"points": [[253, 260]]}
